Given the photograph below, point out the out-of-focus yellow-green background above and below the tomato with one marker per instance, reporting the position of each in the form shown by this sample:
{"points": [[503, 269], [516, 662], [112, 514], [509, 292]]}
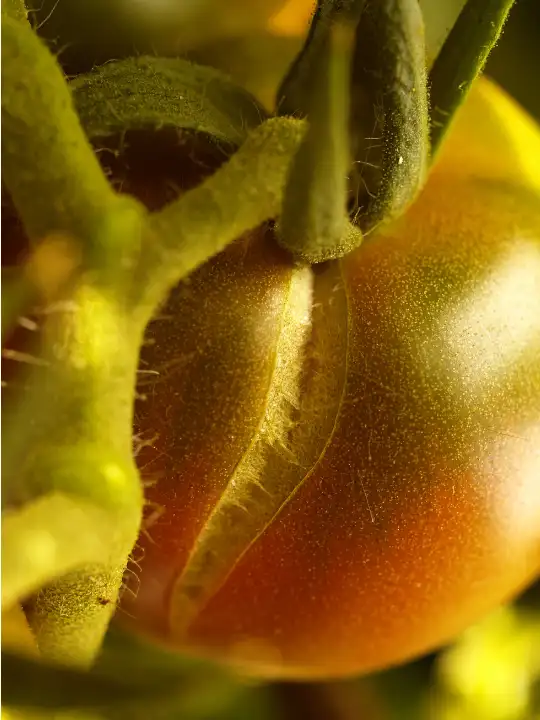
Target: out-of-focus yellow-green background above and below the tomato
{"points": [[493, 671]]}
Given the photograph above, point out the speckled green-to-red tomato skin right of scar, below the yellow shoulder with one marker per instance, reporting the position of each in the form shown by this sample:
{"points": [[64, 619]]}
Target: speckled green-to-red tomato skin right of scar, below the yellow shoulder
{"points": [[425, 510]]}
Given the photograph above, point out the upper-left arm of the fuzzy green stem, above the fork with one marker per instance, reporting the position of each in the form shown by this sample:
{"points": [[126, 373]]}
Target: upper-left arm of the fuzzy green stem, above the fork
{"points": [[48, 166]]}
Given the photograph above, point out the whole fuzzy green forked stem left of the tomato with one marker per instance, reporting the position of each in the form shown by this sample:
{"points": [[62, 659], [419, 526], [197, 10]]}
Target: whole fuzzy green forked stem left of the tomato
{"points": [[71, 489]]}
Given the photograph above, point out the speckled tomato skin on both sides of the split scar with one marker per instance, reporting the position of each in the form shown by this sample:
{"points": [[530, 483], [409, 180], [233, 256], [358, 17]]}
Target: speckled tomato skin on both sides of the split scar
{"points": [[424, 510]]}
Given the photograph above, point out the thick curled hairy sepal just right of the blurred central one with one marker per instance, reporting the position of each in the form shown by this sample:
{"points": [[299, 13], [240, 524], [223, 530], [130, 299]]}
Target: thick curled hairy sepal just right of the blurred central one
{"points": [[389, 118]]}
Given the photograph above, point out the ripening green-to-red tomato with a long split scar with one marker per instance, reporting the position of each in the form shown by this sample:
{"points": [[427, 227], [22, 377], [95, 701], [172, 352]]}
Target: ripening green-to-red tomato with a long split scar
{"points": [[343, 462]]}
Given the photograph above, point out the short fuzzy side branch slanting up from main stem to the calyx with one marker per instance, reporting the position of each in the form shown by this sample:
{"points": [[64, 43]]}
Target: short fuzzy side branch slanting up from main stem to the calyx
{"points": [[242, 194]]}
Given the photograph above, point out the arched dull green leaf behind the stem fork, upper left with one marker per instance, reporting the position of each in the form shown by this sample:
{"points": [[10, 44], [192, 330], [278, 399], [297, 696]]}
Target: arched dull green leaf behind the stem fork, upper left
{"points": [[149, 92]]}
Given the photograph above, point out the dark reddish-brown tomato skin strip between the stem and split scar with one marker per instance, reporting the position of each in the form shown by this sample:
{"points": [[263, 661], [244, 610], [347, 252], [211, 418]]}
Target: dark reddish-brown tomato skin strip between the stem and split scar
{"points": [[212, 346]]}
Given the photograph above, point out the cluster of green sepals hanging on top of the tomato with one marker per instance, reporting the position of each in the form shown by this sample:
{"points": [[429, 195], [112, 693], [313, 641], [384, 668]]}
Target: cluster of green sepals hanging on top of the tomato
{"points": [[372, 131]]}
